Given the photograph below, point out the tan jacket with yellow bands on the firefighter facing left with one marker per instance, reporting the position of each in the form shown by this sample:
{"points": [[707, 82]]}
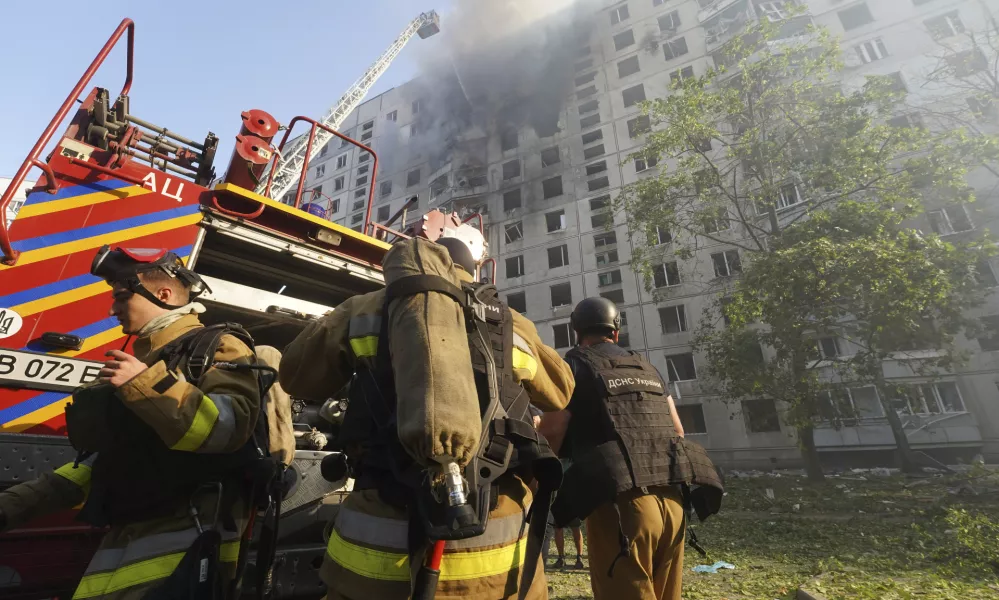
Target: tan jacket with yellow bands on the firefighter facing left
{"points": [[217, 418]]}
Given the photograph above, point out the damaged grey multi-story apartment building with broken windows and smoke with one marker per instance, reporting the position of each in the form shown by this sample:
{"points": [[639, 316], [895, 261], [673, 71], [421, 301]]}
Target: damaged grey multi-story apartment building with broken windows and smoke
{"points": [[546, 201]]}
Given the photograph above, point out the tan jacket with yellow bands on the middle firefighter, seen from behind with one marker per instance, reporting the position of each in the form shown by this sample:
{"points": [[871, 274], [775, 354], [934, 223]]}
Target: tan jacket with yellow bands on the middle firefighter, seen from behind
{"points": [[371, 544]]}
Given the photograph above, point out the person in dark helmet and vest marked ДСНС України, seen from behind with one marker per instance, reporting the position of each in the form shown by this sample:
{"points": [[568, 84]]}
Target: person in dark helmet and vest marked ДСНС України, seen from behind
{"points": [[630, 464]]}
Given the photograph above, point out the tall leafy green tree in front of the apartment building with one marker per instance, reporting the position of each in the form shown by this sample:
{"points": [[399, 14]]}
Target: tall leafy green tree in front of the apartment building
{"points": [[760, 153]]}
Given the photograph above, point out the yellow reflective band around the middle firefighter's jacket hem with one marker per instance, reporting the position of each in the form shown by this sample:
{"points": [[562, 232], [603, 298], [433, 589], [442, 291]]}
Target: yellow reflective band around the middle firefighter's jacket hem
{"points": [[455, 566]]}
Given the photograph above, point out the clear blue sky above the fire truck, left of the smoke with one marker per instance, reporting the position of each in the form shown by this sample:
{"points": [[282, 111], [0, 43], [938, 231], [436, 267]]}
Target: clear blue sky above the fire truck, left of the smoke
{"points": [[198, 64]]}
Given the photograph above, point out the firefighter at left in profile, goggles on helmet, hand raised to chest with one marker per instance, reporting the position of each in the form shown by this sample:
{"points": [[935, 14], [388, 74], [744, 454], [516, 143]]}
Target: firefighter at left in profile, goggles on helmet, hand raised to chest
{"points": [[163, 459]]}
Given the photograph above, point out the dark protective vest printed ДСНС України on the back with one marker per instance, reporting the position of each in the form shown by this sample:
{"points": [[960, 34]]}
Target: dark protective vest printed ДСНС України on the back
{"points": [[643, 450]]}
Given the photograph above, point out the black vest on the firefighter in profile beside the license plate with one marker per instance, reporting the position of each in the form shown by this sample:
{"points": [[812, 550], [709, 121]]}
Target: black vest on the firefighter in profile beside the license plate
{"points": [[135, 476]]}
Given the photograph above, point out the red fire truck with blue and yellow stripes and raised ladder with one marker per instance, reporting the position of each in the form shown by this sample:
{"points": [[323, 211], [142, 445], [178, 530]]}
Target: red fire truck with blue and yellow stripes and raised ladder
{"points": [[114, 178]]}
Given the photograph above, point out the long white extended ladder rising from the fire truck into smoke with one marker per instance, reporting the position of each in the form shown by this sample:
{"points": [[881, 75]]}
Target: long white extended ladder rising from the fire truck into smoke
{"points": [[289, 166]]}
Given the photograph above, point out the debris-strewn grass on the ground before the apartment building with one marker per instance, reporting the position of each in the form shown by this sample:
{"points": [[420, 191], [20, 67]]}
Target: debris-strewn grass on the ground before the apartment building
{"points": [[855, 536]]}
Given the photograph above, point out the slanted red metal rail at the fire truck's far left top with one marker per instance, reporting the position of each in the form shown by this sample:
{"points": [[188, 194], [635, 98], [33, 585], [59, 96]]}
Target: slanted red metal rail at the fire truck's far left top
{"points": [[9, 254]]}
